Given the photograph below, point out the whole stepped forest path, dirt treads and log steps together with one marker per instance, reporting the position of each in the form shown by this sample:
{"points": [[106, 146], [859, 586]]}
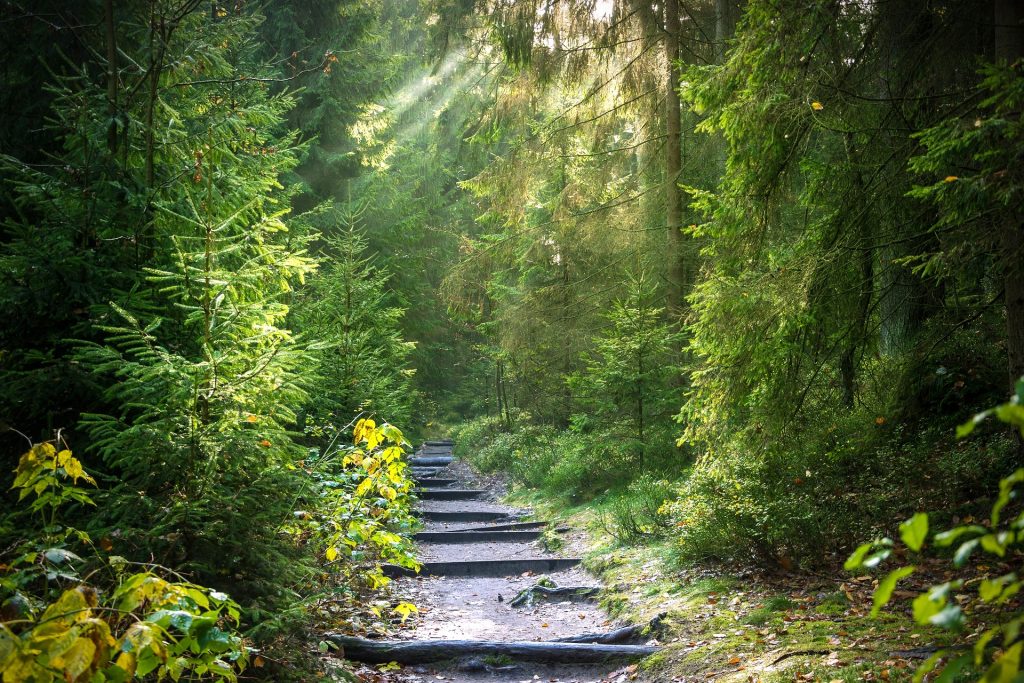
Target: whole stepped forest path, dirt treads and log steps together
{"points": [[478, 557]]}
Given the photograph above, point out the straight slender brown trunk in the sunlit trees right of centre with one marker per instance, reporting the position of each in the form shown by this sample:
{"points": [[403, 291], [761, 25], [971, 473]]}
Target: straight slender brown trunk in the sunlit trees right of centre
{"points": [[673, 162]]}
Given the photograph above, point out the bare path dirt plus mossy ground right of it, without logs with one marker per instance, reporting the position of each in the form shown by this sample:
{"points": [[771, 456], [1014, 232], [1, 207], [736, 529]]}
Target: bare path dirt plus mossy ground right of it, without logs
{"points": [[723, 624]]}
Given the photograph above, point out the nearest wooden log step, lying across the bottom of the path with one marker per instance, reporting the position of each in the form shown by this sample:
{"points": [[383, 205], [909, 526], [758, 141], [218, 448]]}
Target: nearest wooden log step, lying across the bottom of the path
{"points": [[425, 652]]}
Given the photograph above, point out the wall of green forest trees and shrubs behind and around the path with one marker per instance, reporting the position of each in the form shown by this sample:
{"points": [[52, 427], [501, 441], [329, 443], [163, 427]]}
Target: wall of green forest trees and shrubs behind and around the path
{"points": [[733, 272]]}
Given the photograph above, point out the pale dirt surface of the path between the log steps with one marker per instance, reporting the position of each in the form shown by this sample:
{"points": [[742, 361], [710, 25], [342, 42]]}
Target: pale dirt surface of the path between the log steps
{"points": [[473, 601]]}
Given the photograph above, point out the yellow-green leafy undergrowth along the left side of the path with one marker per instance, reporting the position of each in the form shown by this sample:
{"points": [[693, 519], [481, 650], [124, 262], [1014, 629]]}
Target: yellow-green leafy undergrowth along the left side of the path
{"points": [[76, 608]]}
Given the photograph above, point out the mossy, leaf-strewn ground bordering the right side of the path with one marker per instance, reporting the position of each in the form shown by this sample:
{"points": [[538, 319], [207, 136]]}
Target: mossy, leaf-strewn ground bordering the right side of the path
{"points": [[744, 624]]}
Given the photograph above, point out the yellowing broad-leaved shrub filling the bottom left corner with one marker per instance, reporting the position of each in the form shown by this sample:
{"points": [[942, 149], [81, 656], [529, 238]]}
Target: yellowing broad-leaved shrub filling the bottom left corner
{"points": [[143, 625]]}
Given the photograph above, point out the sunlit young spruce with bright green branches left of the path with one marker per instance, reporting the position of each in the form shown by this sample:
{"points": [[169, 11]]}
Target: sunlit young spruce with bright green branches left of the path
{"points": [[207, 388]]}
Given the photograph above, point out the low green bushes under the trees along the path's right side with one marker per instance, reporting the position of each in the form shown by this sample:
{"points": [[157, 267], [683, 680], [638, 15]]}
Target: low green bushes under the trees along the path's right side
{"points": [[797, 504]]}
